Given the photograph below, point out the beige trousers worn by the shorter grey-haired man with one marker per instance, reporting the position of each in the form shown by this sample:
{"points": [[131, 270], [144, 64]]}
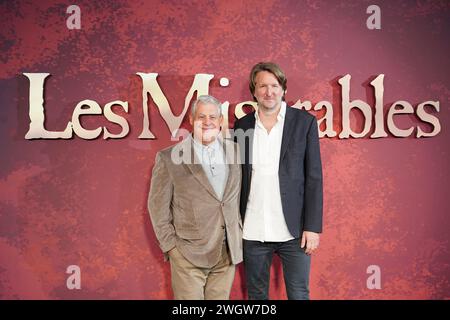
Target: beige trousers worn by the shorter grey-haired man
{"points": [[193, 283]]}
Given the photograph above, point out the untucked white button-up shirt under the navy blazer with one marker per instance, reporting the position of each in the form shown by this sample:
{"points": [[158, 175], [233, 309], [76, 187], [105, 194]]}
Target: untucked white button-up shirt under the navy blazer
{"points": [[264, 219]]}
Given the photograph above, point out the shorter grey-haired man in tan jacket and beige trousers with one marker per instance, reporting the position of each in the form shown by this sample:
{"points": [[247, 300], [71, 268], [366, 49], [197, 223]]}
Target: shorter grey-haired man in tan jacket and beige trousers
{"points": [[194, 207]]}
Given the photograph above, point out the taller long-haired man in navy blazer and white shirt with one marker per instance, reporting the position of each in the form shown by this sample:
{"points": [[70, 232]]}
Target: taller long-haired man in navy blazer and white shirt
{"points": [[281, 196]]}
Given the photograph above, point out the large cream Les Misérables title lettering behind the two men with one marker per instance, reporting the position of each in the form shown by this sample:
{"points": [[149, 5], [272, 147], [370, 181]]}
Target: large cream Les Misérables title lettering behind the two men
{"points": [[200, 86]]}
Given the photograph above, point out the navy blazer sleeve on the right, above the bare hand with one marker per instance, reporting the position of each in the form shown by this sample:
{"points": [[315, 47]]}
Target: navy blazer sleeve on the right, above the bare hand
{"points": [[313, 201]]}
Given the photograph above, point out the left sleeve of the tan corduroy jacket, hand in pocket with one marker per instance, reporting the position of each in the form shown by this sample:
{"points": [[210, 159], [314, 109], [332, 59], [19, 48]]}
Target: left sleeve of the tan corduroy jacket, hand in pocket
{"points": [[159, 204]]}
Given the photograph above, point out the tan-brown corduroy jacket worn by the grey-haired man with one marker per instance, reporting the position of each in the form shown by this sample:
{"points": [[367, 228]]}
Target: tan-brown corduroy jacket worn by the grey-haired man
{"points": [[185, 210]]}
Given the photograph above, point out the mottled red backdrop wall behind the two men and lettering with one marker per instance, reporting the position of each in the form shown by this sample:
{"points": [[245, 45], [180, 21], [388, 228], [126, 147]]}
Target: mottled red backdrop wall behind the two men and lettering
{"points": [[80, 202]]}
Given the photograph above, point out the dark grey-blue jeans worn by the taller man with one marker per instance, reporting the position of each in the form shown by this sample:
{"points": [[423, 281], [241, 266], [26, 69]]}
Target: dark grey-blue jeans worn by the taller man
{"points": [[296, 266]]}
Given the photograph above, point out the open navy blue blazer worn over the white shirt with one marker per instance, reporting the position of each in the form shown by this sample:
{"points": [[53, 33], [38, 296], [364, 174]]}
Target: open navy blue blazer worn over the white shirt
{"points": [[300, 169]]}
